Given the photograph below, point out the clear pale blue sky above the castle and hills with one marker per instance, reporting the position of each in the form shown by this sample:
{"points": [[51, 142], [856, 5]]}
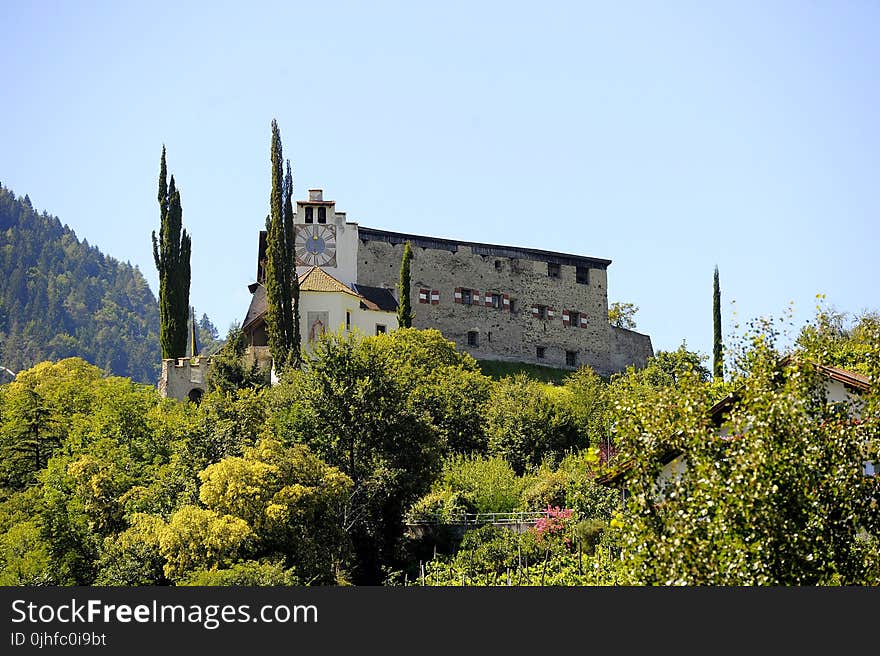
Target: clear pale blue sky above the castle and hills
{"points": [[666, 136]]}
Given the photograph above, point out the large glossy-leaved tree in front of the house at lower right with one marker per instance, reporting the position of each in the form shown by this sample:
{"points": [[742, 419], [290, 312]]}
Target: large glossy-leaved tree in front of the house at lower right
{"points": [[780, 500]]}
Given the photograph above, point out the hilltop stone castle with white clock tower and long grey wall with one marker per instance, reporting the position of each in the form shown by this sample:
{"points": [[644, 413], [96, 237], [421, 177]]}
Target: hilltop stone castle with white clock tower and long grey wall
{"points": [[495, 302]]}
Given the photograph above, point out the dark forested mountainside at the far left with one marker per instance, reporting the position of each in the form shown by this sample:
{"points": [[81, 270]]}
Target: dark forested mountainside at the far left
{"points": [[61, 297]]}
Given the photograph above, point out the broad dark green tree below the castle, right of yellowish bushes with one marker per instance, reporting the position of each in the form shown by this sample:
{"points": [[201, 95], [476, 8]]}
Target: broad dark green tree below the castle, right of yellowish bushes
{"points": [[353, 405]]}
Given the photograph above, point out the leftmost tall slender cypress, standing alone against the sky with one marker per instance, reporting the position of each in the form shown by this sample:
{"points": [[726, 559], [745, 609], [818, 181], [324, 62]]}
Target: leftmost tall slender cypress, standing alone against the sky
{"points": [[171, 251]]}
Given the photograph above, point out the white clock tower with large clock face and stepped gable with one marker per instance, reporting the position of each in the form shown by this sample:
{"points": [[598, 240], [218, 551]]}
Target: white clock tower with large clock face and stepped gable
{"points": [[323, 238]]}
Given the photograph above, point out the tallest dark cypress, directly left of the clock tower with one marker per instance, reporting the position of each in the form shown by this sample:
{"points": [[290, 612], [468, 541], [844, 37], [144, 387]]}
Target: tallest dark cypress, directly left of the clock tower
{"points": [[280, 269]]}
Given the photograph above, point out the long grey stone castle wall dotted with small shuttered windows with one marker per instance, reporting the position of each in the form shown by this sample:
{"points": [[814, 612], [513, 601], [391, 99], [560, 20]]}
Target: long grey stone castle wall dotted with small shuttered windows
{"points": [[511, 332]]}
